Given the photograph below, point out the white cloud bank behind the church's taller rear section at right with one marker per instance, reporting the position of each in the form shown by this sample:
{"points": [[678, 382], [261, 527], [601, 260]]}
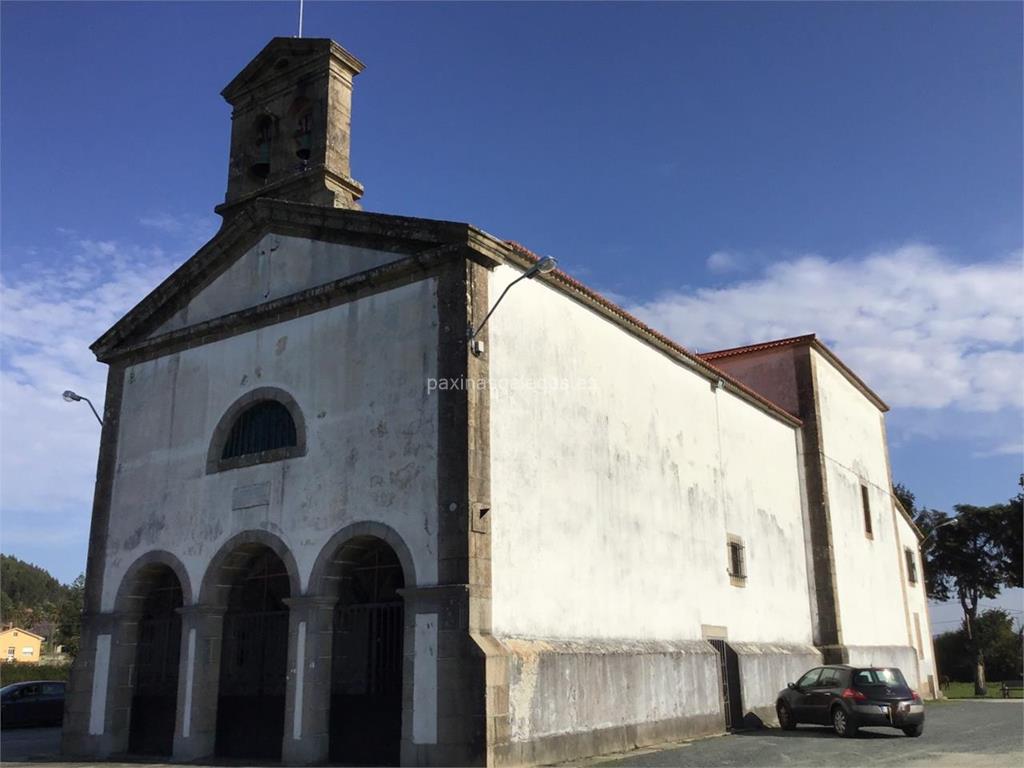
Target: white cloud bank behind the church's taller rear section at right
{"points": [[923, 330]]}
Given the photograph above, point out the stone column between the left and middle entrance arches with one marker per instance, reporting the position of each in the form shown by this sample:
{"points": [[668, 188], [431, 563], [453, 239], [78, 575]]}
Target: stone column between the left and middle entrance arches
{"points": [[199, 682]]}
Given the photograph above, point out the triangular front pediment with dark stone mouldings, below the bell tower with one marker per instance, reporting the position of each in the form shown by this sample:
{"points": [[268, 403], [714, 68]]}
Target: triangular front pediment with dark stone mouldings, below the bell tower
{"points": [[273, 253]]}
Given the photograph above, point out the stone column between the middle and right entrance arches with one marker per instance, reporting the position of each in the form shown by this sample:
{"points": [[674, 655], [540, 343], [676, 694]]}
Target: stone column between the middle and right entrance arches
{"points": [[308, 693]]}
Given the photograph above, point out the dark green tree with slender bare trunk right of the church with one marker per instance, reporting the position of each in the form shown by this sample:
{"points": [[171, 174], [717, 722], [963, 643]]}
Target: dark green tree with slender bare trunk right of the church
{"points": [[971, 561]]}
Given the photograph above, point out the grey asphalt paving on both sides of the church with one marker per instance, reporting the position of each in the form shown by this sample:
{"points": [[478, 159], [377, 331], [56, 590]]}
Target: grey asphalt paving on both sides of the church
{"points": [[958, 735]]}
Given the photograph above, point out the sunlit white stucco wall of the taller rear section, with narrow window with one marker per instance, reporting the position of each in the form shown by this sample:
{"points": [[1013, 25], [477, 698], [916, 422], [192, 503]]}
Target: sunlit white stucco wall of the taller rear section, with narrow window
{"points": [[868, 570]]}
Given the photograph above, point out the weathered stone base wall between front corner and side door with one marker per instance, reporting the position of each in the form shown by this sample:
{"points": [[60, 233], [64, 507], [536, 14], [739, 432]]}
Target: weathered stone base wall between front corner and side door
{"points": [[571, 700]]}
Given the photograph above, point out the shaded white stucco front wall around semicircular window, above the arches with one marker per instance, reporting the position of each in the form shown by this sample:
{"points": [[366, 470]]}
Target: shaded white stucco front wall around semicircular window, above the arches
{"points": [[358, 371]]}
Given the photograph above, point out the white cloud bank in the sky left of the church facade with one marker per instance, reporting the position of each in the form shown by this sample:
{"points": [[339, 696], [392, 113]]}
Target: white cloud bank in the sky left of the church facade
{"points": [[52, 315]]}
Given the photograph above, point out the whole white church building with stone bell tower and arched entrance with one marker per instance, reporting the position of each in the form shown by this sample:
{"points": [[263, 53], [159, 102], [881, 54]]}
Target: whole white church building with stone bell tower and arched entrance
{"points": [[345, 514]]}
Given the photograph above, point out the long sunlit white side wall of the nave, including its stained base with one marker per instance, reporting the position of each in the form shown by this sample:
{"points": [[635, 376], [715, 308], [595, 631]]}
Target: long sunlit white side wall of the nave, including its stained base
{"points": [[619, 478]]}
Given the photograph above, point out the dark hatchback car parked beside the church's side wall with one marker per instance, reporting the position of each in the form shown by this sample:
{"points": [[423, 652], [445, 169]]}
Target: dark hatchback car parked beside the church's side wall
{"points": [[851, 698]]}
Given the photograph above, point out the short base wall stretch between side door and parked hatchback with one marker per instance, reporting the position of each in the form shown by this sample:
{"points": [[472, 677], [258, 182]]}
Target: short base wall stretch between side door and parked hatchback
{"points": [[765, 669]]}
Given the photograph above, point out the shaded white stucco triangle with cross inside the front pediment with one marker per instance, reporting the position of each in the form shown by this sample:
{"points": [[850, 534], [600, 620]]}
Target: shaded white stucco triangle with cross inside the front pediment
{"points": [[277, 267]]}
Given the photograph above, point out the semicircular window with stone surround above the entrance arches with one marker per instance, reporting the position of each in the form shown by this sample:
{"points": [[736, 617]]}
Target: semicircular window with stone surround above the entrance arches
{"points": [[265, 425]]}
